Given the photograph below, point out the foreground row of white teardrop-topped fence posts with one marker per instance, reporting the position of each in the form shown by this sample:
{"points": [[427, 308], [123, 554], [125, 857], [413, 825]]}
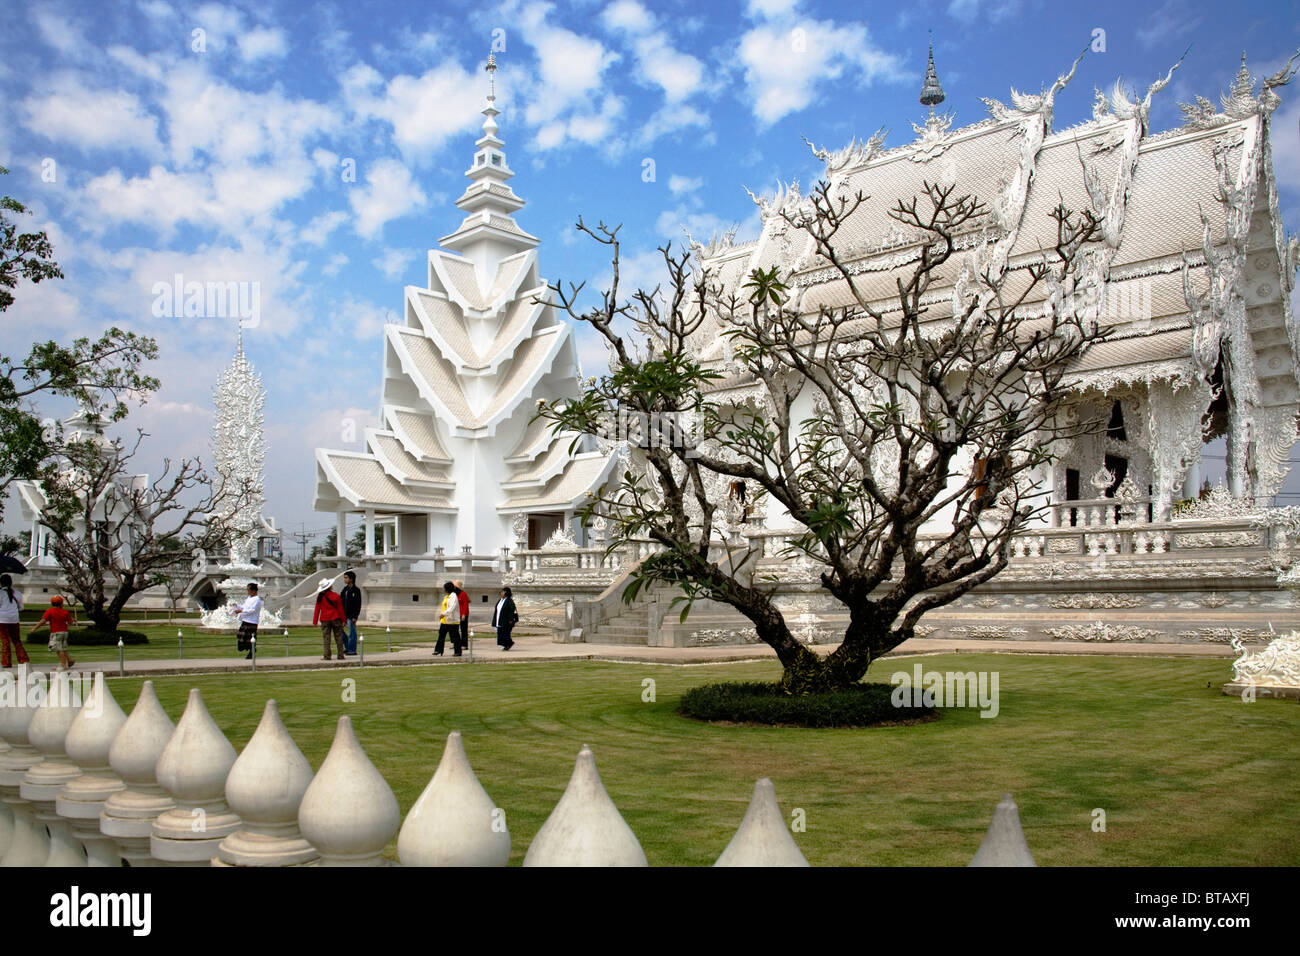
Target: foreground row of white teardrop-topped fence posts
{"points": [[86, 785]]}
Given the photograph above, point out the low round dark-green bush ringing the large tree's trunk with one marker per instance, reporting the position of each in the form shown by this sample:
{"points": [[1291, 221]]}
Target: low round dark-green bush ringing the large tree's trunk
{"points": [[861, 706]]}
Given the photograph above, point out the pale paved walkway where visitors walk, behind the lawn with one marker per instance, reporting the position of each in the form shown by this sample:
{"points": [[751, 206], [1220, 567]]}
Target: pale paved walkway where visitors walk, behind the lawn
{"points": [[532, 650]]}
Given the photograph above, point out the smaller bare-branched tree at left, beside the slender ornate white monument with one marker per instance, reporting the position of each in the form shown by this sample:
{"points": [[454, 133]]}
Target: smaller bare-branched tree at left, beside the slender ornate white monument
{"points": [[116, 534]]}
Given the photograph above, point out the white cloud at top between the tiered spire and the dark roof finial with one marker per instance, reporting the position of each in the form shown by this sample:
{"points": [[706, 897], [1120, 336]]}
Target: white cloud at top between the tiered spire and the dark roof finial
{"points": [[786, 66]]}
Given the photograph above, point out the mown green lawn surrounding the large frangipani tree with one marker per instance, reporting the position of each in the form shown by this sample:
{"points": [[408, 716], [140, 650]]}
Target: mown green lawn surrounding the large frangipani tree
{"points": [[1185, 775]]}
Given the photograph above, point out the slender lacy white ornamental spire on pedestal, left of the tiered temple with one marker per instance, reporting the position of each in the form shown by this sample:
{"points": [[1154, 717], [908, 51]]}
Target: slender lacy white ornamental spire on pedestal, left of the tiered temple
{"points": [[240, 456]]}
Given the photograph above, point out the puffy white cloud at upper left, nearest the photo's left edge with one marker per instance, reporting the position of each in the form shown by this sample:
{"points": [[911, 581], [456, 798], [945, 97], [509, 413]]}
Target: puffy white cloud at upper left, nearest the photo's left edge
{"points": [[77, 115]]}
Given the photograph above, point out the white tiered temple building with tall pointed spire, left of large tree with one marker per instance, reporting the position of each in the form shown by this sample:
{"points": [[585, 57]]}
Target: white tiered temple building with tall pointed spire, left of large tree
{"points": [[457, 462]]}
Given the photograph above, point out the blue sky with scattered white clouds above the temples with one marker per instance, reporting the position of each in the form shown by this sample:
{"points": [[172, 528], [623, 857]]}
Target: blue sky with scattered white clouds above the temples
{"points": [[213, 141]]}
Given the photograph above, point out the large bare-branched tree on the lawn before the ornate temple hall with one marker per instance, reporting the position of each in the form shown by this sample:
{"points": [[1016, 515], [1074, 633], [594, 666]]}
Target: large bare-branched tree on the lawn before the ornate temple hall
{"points": [[873, 423]]}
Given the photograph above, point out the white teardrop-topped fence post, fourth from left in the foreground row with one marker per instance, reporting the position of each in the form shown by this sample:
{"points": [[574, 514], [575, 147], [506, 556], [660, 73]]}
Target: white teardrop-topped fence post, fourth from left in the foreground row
{"points": [[129, 815]]}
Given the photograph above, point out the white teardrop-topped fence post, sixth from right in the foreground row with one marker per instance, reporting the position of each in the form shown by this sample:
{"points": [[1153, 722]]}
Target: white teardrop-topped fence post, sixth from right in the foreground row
{"points": [[266, 788]]}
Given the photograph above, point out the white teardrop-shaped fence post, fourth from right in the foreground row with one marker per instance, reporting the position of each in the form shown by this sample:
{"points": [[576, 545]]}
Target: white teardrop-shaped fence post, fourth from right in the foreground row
{"points": [[454, 823]]}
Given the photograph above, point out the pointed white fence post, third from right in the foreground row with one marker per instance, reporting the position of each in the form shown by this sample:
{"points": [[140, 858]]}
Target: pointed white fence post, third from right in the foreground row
{"points": [[586, 829]]}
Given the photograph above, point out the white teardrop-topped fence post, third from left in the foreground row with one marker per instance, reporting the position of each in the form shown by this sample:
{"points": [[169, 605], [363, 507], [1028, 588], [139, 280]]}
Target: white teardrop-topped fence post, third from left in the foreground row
{"points": [[83, 799]]}
